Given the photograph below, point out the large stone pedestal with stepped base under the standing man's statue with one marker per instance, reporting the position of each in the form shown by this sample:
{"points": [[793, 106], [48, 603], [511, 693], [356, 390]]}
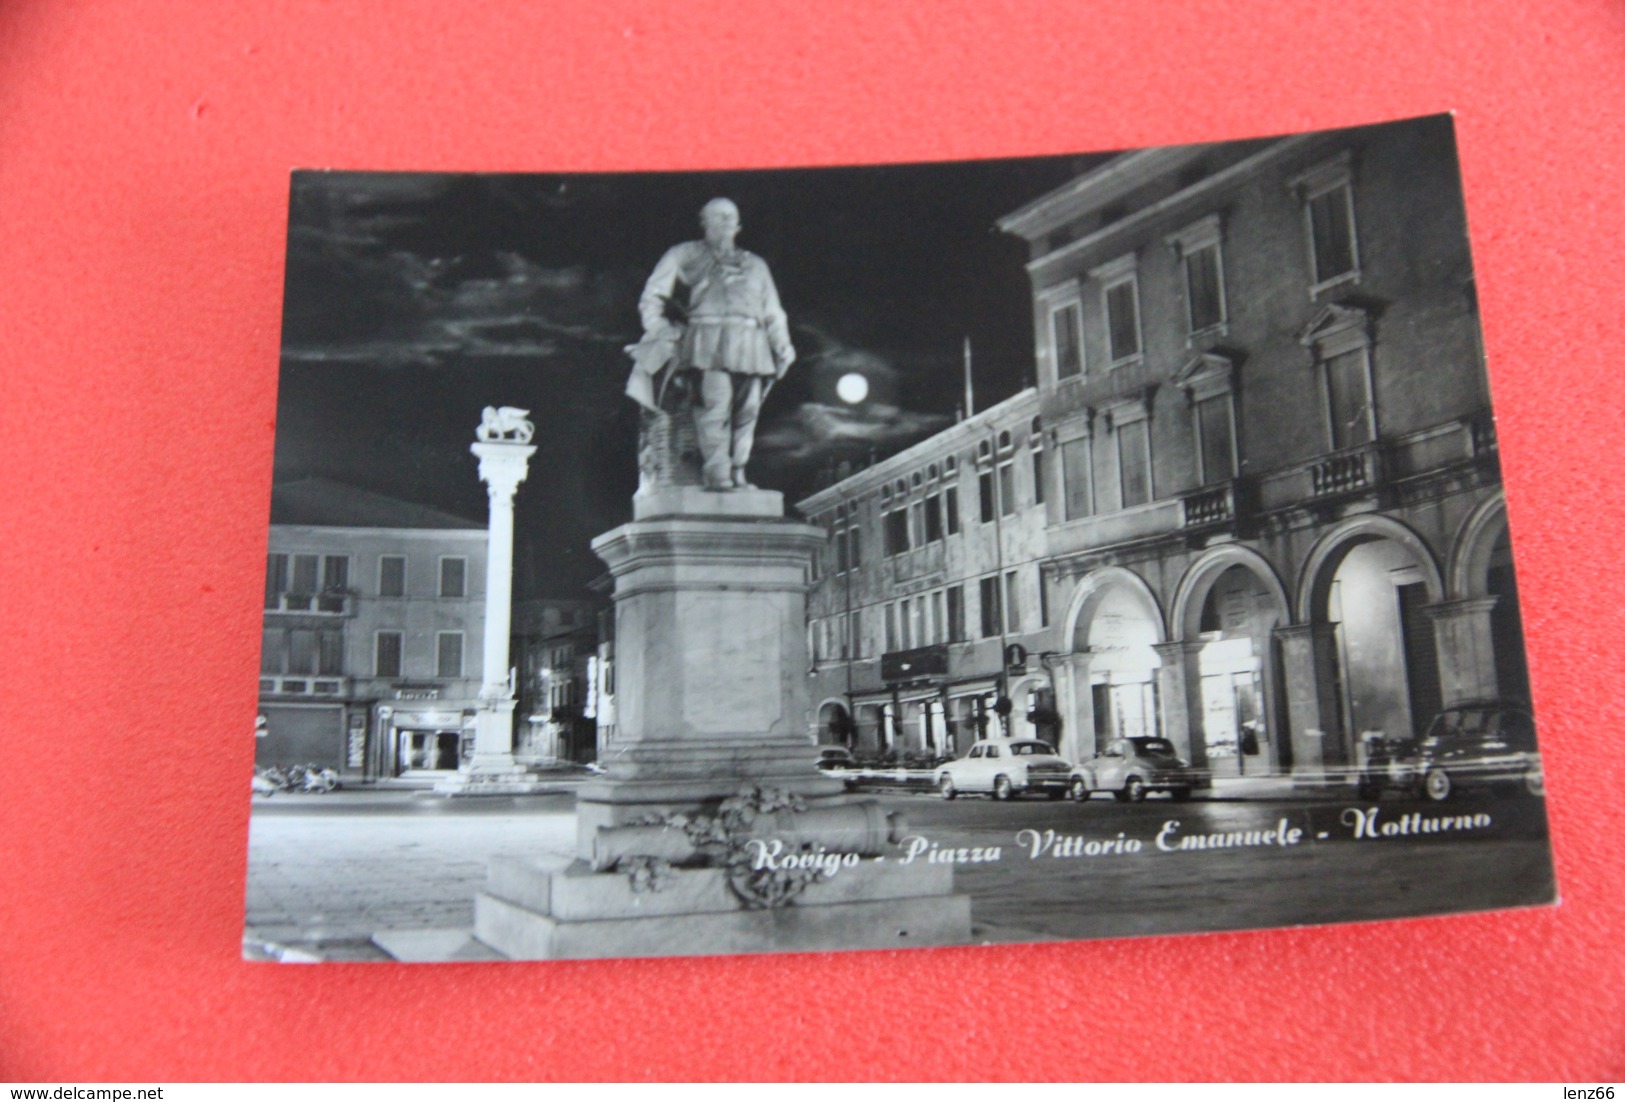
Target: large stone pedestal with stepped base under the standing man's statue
{"points": [[711, 700]]}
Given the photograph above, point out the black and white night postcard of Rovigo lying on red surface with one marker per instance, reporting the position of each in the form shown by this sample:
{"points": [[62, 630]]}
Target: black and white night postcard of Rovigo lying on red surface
{"points": [[888, 557]]}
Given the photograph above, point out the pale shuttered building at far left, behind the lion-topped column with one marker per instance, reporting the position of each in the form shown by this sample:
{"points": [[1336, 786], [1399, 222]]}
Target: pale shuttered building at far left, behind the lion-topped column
{"points": [[371, 653]]}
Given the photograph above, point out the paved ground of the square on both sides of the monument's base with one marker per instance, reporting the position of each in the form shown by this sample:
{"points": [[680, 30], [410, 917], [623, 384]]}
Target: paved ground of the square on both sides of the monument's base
{"points": [[324, 879]]}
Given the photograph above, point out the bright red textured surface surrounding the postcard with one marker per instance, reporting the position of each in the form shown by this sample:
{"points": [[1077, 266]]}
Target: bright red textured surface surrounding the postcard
{"points": [[144, 178]]}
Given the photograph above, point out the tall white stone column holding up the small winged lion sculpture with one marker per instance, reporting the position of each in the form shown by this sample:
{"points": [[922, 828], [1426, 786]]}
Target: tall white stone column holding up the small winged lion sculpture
{"points": [[492, 768]]}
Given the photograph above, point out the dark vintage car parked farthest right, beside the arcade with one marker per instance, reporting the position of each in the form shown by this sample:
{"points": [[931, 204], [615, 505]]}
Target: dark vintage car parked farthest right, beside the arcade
{"points": [[1480, 745]]}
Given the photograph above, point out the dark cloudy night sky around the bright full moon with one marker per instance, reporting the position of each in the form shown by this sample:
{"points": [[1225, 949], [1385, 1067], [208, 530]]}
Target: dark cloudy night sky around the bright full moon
{"points": [[417, 300]]}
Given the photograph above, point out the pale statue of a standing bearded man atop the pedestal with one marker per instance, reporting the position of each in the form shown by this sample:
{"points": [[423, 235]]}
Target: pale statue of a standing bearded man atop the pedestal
{"points": [[730, 331]]}
